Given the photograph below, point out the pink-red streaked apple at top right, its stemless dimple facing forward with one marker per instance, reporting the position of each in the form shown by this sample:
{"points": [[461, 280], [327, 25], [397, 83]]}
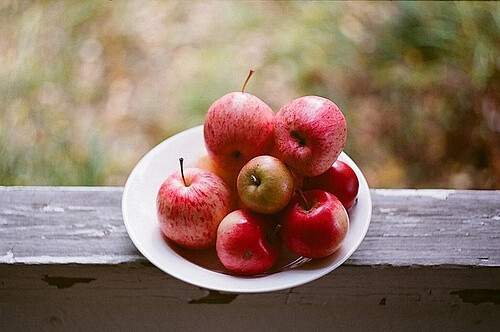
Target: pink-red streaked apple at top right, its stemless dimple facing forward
{"points": [[309, 134]]}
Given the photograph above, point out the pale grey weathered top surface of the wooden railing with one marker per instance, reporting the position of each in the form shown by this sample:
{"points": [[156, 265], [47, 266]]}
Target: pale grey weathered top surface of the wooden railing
{"points": [[40, 225]]}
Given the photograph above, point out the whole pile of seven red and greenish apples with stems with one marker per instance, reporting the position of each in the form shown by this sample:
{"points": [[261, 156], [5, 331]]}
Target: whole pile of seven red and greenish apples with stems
{"points": [[267, 179]]}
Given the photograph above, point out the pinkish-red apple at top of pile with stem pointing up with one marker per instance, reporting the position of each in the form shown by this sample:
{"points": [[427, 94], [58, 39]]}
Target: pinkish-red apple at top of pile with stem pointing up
{"points": [[238, 126]]}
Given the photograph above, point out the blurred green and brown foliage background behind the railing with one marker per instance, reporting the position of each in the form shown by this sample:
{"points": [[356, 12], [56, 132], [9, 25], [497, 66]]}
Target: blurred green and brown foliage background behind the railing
{"points": [[88, 87]]}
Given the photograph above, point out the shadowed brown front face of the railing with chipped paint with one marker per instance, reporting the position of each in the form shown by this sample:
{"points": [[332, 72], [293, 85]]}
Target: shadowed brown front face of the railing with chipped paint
{"points": [[140, 297]]}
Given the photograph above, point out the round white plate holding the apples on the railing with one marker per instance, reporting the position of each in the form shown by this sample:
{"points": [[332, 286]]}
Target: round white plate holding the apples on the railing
{"points": [[201, 268]]}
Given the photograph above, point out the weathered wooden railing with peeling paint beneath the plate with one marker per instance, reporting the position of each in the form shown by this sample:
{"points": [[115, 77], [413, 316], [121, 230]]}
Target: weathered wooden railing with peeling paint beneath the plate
{"points": [[430, 260]]}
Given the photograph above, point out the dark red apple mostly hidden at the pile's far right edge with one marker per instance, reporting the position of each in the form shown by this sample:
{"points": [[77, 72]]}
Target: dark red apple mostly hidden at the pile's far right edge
{"points": [[340, 180]]}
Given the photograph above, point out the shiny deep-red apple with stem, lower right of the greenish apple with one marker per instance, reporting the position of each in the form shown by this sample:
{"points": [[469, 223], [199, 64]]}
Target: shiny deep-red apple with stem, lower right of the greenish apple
{"points": [[318, 231]]}
